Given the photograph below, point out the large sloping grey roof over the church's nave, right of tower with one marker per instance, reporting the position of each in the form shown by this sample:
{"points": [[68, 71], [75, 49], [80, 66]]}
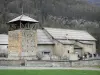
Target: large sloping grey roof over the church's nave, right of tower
{"points": [[62, 34]]}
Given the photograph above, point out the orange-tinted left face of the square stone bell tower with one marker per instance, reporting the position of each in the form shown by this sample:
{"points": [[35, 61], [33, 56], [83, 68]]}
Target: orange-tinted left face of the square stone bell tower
{"points": [[14, 40]]}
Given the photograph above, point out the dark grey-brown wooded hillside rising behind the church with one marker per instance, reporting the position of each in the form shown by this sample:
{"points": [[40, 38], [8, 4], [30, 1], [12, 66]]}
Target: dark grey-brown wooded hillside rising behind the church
{"points": [[73, 14]]}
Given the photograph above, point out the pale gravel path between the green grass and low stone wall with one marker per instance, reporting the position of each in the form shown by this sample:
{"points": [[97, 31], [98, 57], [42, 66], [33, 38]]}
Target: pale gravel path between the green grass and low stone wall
{"points": [[47, 68]]}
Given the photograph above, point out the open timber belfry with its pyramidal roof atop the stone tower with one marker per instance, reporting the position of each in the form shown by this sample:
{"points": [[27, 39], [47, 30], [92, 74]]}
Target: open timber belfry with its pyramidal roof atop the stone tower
{"points": [[22, 22]]}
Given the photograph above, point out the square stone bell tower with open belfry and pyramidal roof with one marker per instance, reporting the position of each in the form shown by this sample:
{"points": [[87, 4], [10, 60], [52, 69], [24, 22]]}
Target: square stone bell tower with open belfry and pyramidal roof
{"points": [[22, 38]]}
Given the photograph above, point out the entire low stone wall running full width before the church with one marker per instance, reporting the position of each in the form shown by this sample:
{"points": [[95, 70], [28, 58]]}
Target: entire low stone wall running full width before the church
{"points": [[83, 63]]}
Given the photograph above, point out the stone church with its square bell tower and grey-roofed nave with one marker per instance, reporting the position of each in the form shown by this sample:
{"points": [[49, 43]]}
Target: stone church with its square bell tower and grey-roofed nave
{"points": [[28, 42]]}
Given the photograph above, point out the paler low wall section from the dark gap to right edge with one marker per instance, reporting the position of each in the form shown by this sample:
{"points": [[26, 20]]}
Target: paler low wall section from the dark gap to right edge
{"points": [[84, 63]]}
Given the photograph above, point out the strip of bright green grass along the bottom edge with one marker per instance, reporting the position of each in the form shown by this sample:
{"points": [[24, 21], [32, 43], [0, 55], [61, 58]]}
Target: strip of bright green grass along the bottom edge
{"points": [[49, 72]]}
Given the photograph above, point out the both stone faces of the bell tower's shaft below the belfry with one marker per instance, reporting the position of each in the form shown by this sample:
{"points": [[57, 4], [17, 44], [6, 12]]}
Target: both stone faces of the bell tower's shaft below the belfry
{"points": [[22, 43]]}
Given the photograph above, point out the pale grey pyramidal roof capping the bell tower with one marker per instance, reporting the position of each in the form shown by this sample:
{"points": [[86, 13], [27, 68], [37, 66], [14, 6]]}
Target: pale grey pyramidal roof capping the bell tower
{"points": [[23, 18]]}
